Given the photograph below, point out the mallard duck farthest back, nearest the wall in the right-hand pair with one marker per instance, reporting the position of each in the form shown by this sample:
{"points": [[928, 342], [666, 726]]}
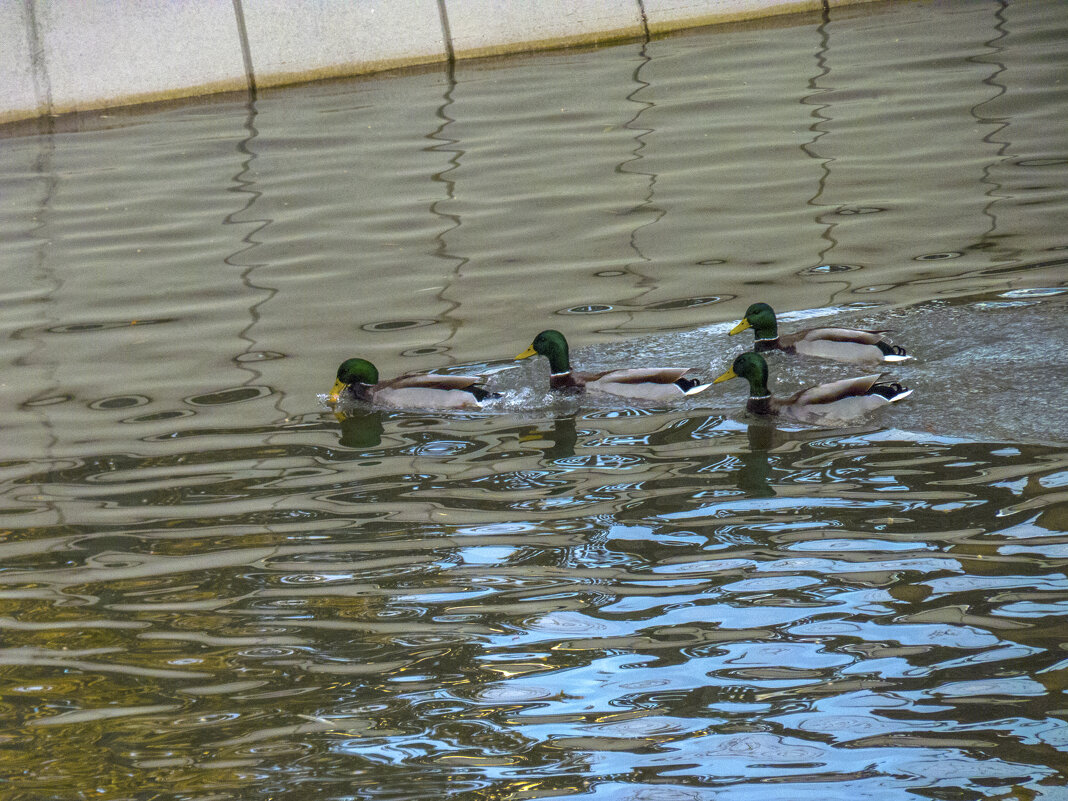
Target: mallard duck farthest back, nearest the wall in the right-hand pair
{"points": [[840, 344]]}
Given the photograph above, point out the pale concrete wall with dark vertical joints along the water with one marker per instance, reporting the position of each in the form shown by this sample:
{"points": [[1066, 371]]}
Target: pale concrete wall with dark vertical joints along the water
{"points": [[65, 56]]}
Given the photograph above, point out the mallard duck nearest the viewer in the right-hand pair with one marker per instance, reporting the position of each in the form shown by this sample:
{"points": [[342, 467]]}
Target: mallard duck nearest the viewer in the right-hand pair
{"points": [[839, 401]]}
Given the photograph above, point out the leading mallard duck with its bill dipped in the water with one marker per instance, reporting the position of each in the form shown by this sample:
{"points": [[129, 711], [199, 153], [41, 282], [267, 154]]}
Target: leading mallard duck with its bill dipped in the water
{"points": [[415, 390]]}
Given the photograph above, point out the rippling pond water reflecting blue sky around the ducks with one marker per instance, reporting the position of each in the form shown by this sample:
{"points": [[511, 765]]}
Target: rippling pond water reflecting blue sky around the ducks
{"points": [[214, 587]]}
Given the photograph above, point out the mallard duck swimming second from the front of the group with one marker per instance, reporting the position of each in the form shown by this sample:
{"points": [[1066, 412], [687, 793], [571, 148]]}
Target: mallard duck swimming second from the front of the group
{"points": [[642, 384]]}
